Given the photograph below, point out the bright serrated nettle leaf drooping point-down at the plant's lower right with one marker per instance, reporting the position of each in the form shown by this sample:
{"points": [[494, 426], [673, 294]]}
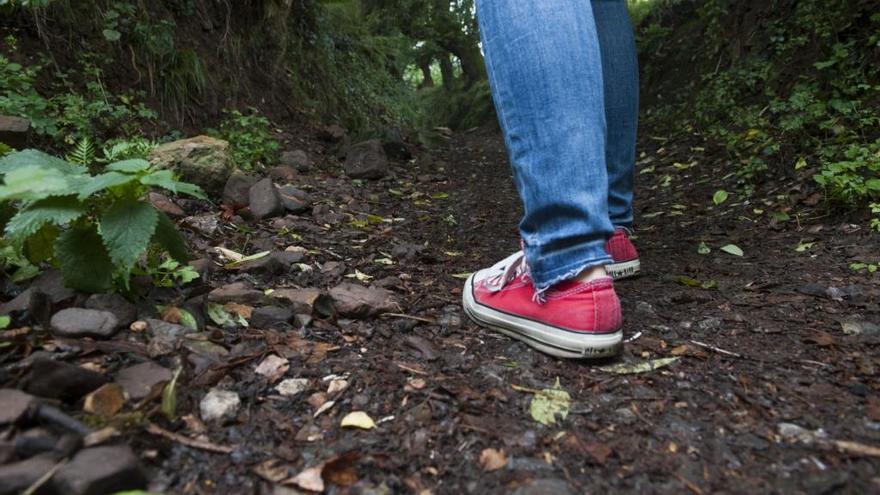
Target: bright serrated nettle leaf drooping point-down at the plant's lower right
{"points": [[127, 227]]}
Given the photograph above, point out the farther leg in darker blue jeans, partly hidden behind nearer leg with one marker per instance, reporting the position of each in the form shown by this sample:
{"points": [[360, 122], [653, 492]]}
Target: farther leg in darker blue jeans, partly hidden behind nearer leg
{"points": [[621, 80]]}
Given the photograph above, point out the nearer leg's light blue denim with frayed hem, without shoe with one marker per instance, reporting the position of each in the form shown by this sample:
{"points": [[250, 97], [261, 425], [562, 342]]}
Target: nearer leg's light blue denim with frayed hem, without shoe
{"points": [[545, 70]]}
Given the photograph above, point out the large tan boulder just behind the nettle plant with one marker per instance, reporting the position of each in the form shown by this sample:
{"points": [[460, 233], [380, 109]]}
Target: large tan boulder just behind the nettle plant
{"points": [[201, 160]]}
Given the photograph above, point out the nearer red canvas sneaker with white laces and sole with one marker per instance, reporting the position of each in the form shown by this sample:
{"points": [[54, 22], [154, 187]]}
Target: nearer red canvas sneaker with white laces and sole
{"points": [[575, 319]]}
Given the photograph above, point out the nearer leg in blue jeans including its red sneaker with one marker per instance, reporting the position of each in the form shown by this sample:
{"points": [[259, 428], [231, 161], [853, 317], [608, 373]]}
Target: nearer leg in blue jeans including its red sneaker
{"points": [[545, 71]]}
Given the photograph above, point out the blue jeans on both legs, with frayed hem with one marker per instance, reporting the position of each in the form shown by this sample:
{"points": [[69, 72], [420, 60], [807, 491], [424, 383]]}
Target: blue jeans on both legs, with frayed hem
{"points": [[559, 71]]}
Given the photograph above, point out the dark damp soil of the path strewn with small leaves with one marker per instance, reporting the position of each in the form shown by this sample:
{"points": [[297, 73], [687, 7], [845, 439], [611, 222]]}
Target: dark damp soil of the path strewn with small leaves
{"points": [[783, 335]]}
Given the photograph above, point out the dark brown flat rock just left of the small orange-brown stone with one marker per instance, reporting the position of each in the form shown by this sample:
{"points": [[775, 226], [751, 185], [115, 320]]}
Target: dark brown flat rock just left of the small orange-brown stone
{"points": [[57, 380]]}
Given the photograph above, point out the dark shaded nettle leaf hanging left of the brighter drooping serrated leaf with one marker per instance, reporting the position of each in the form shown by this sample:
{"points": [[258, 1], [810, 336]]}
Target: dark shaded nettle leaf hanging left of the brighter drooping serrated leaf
{"points": [[85, 264]]}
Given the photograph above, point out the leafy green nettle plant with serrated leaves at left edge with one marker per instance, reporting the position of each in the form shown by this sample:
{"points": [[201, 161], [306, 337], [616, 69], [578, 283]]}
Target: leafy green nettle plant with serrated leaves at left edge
{"points": [[95, 228]]}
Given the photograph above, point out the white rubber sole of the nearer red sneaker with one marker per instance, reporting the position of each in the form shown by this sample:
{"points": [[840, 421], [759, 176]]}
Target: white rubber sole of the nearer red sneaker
{"points": [[545, 338]]}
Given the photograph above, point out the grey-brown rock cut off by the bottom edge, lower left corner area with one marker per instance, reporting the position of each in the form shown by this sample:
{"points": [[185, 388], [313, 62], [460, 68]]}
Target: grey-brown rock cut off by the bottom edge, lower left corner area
{"points": [[100, 470]]}
